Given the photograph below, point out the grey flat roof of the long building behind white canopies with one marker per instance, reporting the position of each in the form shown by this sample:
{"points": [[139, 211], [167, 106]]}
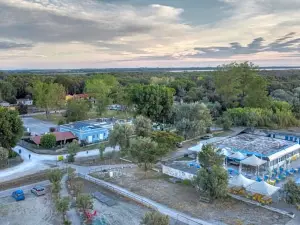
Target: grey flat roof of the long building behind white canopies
{"points": [[255, 144]]}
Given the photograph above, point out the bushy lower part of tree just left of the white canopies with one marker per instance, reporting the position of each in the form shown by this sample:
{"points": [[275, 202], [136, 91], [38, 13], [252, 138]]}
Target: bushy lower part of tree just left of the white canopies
{"points": [[212, 181]]}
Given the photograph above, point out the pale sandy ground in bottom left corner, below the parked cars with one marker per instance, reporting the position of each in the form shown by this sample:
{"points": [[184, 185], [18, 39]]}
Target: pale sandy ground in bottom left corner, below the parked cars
{"points": [[32, 211]]}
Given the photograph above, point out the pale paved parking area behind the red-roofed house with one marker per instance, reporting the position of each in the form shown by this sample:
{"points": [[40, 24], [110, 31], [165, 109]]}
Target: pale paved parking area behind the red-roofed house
{"points": [[37, 126]]}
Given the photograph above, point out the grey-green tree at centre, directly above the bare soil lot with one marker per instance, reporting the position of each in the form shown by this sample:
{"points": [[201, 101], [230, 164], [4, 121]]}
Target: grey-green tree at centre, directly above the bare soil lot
{"points": [[145, 151]]}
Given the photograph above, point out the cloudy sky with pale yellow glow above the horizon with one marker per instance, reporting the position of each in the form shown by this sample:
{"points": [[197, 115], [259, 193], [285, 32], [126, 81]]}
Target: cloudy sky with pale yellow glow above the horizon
{"points": [[59, 34]]}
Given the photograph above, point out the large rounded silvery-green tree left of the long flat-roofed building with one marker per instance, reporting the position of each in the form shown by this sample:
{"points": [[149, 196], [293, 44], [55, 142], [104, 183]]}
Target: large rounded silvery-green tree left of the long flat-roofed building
{"points": [[191, 119]]}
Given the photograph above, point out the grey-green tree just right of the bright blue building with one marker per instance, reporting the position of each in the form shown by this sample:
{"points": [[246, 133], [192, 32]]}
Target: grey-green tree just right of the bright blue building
{"points": [[120, 135]]}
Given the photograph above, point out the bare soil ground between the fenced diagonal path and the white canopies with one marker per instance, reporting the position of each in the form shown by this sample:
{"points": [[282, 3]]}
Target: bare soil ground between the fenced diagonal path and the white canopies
{"points": [[185, 198]]}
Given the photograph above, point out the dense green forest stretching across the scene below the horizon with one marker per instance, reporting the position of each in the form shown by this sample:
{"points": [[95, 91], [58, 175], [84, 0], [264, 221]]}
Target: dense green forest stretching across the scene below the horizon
{"points": [[234, 94]]}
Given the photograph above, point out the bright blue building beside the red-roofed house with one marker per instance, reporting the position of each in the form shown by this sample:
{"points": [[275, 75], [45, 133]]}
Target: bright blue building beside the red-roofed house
{"points": [[86, 131]]}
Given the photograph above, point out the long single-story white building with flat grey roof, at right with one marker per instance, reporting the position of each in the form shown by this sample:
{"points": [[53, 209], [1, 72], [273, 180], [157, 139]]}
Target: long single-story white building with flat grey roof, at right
{"points": [[266, 146]]}
